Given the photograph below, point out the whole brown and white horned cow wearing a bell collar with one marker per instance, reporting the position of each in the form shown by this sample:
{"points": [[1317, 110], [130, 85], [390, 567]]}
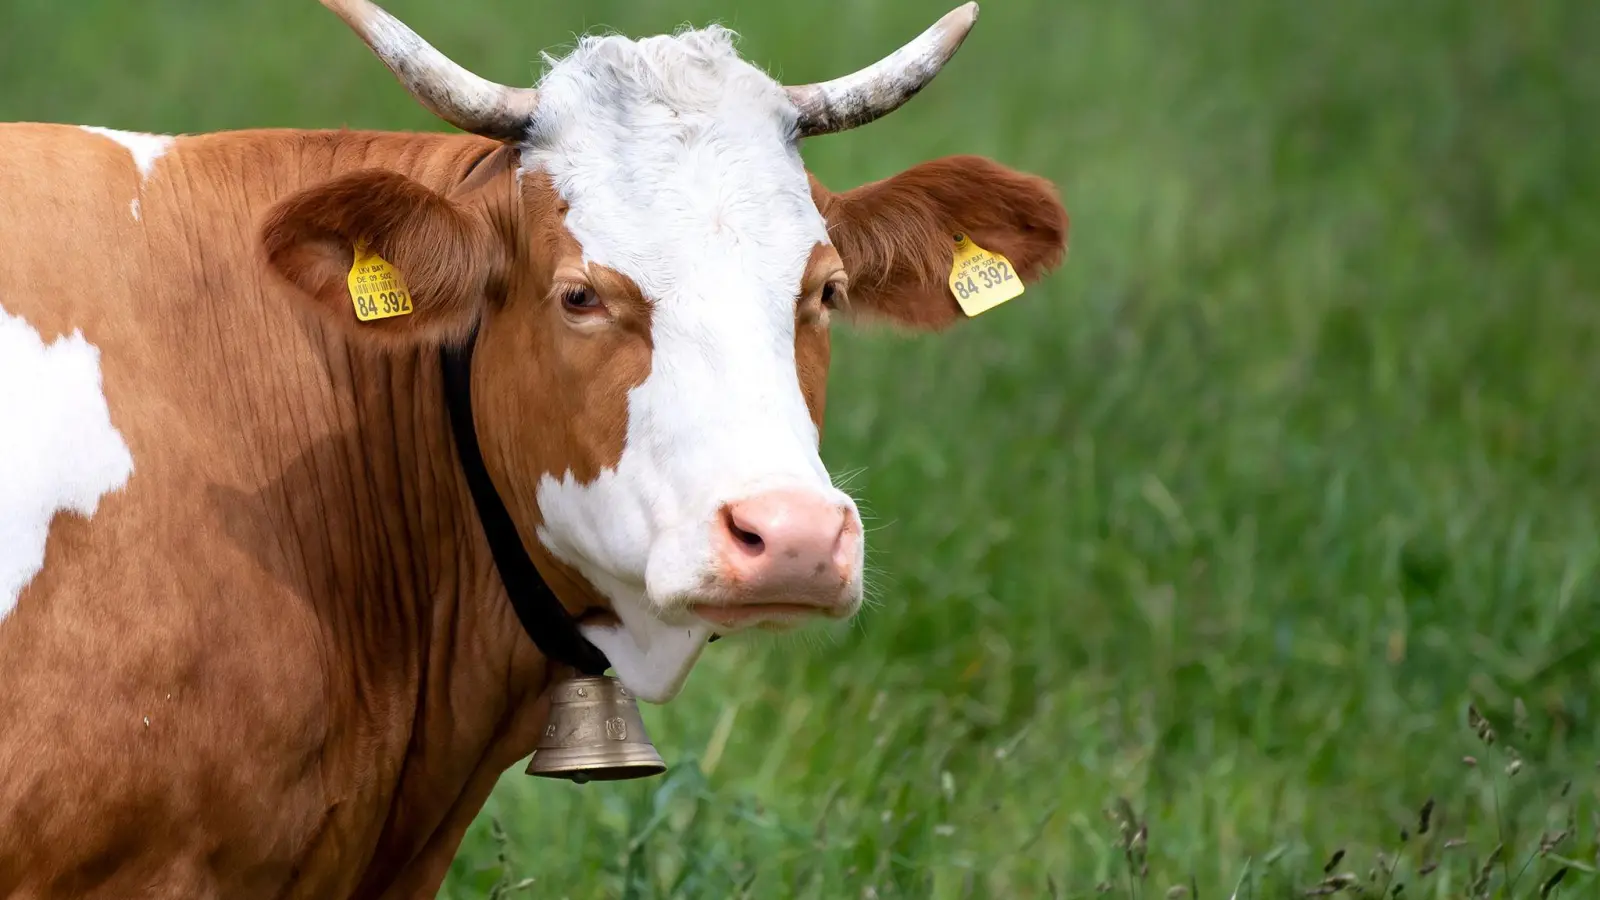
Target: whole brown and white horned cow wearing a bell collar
{"points": [[254, 641]]}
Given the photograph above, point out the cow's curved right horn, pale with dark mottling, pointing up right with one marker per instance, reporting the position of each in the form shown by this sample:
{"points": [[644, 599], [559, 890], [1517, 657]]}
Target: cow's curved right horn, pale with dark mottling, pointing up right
{"points": [[886, 86]]}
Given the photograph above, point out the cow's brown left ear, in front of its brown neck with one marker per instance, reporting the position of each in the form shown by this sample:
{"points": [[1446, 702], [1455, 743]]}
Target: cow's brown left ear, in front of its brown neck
{"points": [[444, 251]]}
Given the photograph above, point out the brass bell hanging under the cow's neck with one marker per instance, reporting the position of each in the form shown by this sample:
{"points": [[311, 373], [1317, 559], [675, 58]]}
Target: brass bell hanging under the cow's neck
{"points": [[594, 734]]}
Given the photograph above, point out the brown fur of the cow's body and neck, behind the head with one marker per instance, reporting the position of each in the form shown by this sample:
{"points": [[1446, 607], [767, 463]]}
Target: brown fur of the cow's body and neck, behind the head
{"points": [[292, 590]]}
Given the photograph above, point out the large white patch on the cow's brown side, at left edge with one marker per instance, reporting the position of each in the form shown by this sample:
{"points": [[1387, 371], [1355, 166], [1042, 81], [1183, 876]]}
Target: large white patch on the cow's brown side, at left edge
{"points": [[58, 449]]}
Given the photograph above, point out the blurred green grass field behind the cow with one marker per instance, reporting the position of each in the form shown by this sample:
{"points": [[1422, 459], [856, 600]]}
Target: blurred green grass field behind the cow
{"points": [[1233, 518]]}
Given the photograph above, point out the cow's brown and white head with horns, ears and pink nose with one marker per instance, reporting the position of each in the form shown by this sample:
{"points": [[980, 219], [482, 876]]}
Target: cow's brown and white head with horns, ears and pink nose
{"points": [[654, 275]]}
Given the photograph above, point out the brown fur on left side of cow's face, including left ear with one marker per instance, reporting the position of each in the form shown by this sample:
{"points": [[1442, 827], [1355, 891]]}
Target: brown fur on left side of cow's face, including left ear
{"points": [[487, 252]]}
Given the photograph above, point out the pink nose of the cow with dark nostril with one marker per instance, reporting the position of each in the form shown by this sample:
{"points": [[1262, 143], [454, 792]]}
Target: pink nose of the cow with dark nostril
{"points": [[788, 547]]}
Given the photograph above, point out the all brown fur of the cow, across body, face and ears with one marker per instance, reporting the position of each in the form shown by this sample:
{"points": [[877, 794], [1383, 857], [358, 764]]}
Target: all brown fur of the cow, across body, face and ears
{"points": [[281, 662]]}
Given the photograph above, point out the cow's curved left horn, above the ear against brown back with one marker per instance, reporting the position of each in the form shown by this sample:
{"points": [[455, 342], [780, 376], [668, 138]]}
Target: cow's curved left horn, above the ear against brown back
{"points": [[439, 84]]}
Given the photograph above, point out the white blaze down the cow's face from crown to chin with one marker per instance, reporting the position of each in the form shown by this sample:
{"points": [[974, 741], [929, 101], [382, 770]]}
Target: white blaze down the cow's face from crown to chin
{"points": [[678, 164]]}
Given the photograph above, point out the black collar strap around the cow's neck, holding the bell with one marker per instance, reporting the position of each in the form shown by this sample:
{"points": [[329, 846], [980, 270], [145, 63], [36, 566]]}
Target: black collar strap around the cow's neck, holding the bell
{"points": [[542, 614]]}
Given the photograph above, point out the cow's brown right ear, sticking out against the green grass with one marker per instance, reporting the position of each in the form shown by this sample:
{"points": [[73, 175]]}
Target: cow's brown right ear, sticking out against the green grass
{"points": [[897, 238]]}
